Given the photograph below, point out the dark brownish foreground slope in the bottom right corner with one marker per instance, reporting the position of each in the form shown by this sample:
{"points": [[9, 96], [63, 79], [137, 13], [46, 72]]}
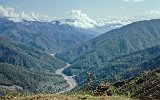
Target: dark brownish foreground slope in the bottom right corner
{"points": [[146, 86]]}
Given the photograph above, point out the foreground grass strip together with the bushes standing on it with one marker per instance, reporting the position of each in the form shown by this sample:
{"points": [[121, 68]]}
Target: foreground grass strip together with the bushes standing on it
{"points": [[102, 92]]}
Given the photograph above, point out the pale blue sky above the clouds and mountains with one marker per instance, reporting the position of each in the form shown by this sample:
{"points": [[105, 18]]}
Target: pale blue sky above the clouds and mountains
{"points": [[93, 8]]}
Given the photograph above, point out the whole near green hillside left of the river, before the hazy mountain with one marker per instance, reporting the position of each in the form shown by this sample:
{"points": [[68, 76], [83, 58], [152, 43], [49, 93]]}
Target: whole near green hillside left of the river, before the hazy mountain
{"points": [[28, 68]]}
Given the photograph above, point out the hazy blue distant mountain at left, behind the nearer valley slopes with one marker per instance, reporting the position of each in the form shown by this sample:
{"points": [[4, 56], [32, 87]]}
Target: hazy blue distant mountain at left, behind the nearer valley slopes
{"points": [[50, 36]]}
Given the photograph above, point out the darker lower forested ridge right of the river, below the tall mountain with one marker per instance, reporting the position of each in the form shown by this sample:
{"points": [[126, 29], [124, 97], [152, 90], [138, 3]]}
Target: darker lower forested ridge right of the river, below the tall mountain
{"points": [[120, 68]]}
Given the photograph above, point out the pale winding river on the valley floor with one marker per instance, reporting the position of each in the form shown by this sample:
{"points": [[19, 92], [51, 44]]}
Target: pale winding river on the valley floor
{"points": [[72, 83]]}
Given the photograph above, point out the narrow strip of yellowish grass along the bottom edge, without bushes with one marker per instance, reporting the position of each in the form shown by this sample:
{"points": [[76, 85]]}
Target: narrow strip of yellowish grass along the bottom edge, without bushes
{"points": [[65, 97]]}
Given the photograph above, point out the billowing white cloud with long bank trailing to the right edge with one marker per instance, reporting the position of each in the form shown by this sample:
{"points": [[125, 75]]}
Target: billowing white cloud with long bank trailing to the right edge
{"points": [[81, 20]]}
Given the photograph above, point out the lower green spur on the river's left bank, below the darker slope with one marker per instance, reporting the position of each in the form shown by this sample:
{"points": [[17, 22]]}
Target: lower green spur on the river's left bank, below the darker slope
{"points": [[27, 80]]}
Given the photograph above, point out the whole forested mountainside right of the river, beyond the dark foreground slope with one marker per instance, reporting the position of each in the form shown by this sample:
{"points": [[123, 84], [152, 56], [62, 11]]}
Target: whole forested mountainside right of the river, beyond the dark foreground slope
{"points": [[114, 55]]}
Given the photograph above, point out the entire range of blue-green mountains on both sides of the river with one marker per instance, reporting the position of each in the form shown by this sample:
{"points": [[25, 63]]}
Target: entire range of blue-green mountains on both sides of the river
{"points": [[121, 56]]}
